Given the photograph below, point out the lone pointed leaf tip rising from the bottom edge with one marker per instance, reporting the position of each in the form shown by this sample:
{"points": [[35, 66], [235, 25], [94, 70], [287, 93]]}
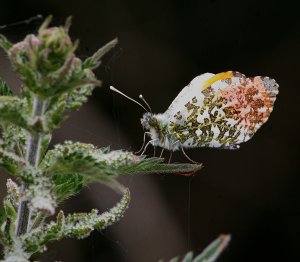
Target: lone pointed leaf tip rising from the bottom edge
{"points": [[213, 251]]}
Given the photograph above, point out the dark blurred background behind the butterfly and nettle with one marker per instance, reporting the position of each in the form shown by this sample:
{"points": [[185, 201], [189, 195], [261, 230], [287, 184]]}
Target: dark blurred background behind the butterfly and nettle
{"points": [[252, 193]]}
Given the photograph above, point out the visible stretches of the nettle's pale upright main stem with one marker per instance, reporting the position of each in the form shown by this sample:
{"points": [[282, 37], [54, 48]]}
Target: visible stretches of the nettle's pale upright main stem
{"points": [[34, 142]]}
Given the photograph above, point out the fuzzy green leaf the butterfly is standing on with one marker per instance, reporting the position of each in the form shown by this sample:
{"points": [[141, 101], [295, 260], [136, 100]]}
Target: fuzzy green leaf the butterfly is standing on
{"points": [[104, 166]]}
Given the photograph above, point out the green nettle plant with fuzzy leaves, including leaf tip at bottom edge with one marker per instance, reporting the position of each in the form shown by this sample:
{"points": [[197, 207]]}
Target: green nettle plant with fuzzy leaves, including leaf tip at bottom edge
{"points": [[54, 82]]}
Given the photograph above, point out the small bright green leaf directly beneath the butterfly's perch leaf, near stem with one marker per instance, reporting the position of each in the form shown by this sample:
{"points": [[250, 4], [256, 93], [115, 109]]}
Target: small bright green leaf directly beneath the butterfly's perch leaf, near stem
{"points": [[66, 185]]}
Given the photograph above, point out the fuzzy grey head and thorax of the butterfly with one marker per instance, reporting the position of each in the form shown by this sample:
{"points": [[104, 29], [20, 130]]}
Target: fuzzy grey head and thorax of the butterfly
{"points": [[157, 126]]}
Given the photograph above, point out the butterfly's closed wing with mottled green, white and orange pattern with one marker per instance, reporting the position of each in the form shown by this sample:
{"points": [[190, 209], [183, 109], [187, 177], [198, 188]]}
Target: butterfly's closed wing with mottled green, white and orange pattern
{"points": [[221, 110]]}
